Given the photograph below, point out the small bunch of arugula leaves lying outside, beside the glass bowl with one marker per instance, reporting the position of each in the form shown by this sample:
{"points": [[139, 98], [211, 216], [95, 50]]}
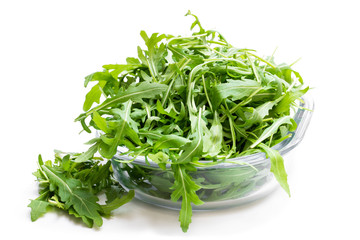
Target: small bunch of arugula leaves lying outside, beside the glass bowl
{"points": [[74, 187]]}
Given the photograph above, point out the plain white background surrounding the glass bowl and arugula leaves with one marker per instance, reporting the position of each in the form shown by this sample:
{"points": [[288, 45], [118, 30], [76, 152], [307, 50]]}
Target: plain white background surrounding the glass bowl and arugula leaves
{"points": [[48, 47]]}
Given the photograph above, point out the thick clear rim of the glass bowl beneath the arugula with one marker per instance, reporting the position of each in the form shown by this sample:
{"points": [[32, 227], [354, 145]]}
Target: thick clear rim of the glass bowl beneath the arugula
{"points": [[302, 117]]}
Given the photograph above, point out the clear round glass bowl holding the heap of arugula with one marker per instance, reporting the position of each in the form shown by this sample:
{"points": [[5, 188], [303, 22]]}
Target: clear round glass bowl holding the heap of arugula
{"points": [[223, 185]]}
